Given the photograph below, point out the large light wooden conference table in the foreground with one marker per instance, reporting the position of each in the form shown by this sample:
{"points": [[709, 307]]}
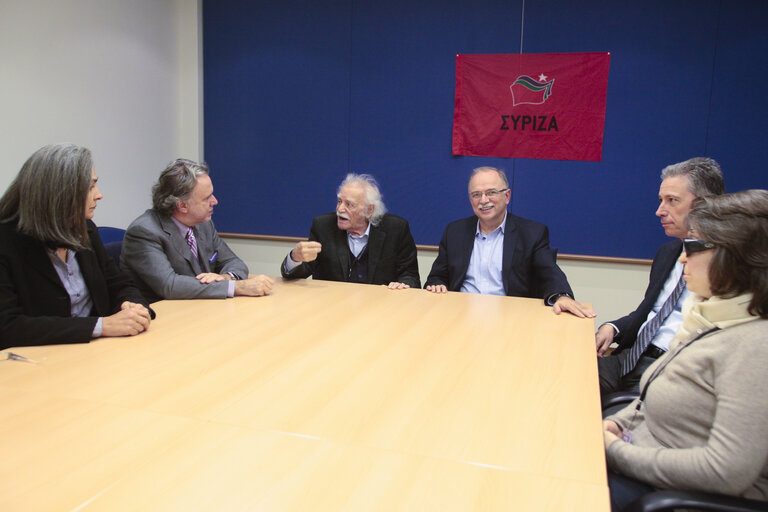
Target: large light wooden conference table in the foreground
{"points": [[323, 396]]}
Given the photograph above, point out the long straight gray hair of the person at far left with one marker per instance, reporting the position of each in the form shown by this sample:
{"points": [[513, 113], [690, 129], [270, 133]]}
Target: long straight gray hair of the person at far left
{"points": [[47, 198]]}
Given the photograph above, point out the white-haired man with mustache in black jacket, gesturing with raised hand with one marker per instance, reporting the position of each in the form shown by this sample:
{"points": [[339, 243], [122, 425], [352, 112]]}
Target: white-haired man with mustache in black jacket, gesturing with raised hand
{"points": [[359, 243]]}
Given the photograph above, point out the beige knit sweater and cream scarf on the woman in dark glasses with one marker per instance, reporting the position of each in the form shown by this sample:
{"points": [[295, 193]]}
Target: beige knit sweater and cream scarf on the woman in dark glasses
{"points": [[704, 423]]}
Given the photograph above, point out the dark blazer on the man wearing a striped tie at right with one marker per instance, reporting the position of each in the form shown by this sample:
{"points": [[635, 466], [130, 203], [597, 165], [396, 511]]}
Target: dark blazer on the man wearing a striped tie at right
{"points": [[663, 263]]}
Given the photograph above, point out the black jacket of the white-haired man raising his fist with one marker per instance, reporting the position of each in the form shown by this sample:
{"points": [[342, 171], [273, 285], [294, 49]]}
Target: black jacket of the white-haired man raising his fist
{"points": [[391, 253]]}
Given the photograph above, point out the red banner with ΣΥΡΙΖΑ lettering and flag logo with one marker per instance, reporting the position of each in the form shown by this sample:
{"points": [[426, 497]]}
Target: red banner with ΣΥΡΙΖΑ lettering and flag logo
{"points": [[546, 105]]}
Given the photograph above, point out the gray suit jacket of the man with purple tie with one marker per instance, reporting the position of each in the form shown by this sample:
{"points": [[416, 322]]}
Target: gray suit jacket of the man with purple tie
{"points": [[158, 257]]}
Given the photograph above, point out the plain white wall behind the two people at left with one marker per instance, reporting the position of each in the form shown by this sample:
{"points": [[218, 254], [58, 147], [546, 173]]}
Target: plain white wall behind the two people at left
{"points": [[119, 77]]}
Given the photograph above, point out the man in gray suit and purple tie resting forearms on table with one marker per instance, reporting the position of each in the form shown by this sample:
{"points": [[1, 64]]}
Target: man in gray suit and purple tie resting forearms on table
{"points": [[173, 250]]}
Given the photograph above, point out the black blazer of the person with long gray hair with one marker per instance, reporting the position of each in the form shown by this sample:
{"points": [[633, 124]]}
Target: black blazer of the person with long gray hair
{"points": [[34, 305]]}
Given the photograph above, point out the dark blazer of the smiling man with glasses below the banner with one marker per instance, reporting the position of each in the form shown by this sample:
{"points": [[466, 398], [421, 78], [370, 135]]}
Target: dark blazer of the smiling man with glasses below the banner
{"points": [[528, 264]]}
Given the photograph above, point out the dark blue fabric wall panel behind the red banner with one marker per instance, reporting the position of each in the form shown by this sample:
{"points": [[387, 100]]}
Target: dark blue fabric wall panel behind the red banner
{"points": [[298, 93]]}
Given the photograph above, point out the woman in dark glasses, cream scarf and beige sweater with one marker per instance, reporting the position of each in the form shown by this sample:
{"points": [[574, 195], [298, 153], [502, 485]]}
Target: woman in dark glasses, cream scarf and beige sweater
{"points": [[701, 421]]}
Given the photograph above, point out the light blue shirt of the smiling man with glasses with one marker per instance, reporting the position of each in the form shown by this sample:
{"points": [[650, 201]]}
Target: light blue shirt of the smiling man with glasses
{"points": [[484, 271]]}
